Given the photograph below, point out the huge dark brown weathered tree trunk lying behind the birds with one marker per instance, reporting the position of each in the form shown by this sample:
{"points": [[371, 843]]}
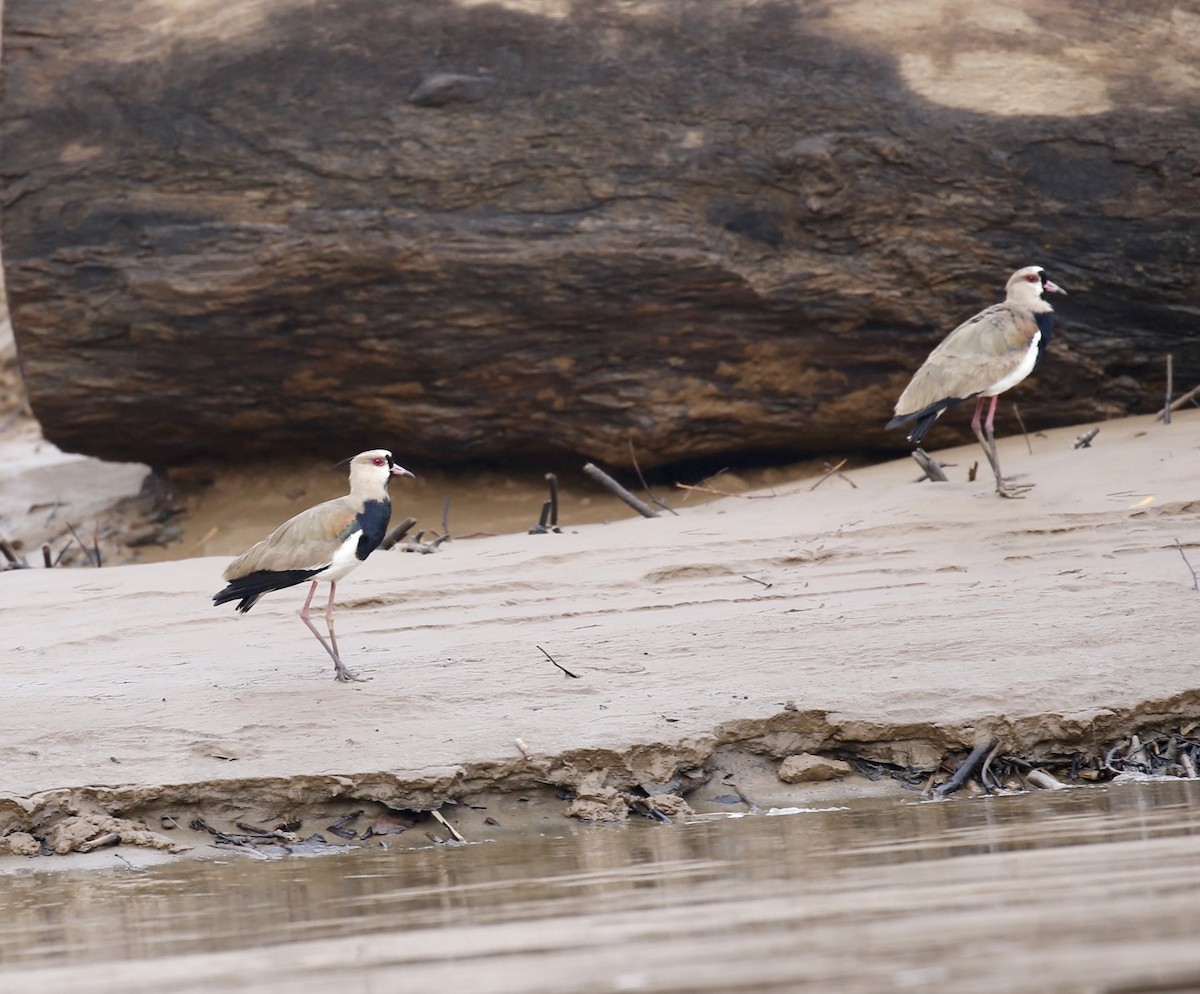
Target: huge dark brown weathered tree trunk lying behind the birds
{"points": [[521, 229]]}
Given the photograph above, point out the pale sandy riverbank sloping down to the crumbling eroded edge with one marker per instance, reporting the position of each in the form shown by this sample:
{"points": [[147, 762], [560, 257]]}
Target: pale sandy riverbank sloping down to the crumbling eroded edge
{"points": [[895, 621]]}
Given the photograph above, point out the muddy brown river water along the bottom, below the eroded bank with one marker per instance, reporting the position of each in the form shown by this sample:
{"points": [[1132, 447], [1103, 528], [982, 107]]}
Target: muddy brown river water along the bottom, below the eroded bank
{"points": [[1089, 890]]}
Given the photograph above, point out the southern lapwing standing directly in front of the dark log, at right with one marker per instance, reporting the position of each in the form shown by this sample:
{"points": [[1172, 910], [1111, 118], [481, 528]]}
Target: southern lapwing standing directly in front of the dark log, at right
{"points": [[982, 358]]}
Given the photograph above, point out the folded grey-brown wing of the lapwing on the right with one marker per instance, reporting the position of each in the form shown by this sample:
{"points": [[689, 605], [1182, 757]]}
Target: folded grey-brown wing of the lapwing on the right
{"points": [[975, 356]]}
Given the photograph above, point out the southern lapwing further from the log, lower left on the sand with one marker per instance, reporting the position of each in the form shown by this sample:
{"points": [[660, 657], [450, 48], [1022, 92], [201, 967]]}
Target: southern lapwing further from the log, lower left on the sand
{"points": [[321, 544]]}
